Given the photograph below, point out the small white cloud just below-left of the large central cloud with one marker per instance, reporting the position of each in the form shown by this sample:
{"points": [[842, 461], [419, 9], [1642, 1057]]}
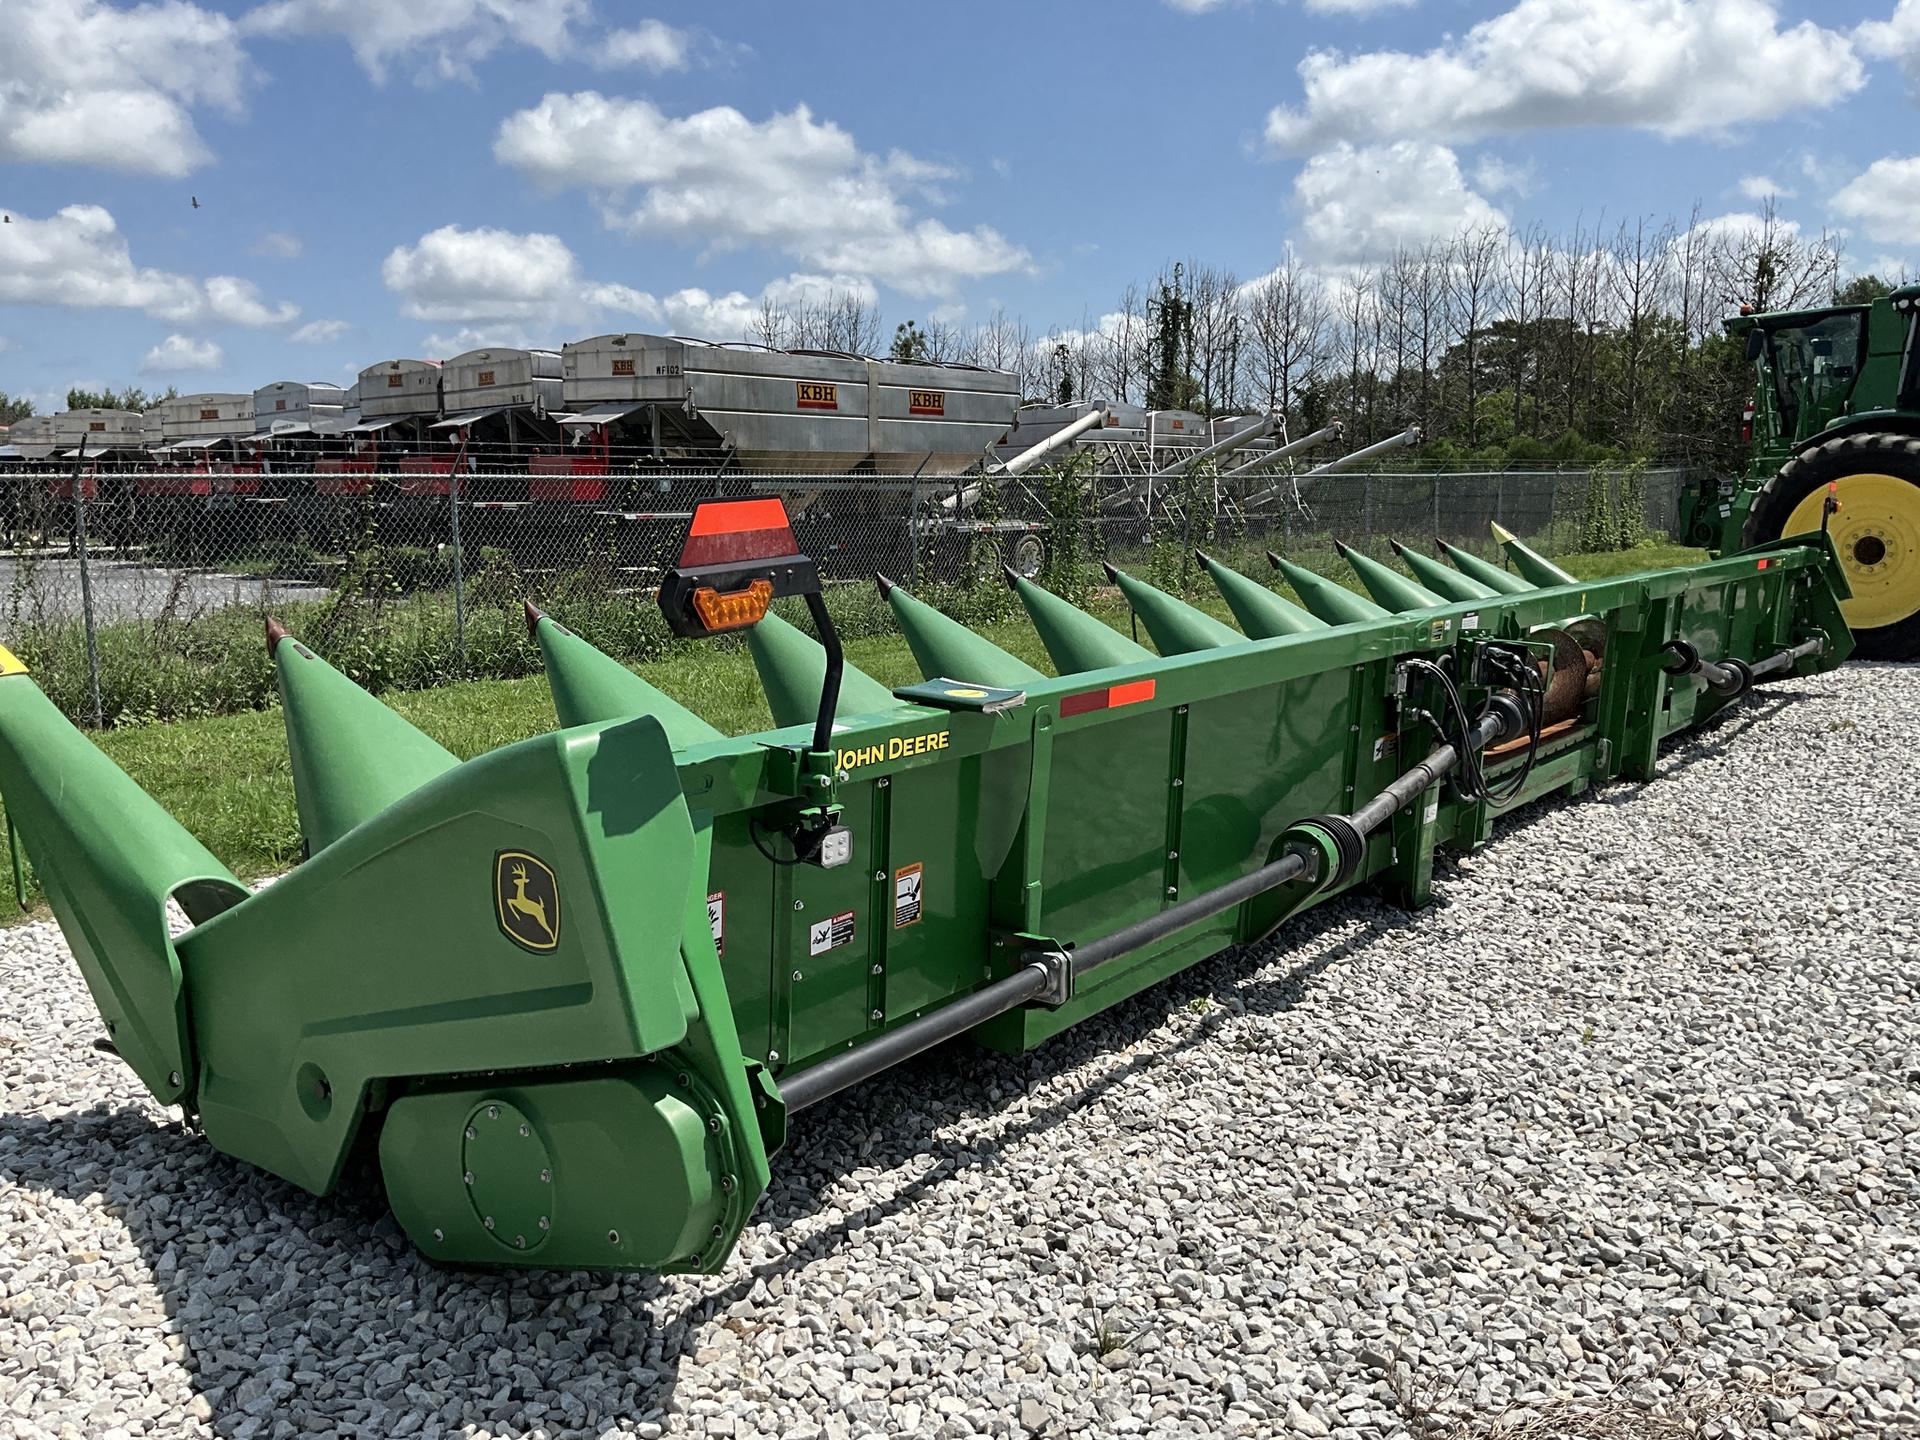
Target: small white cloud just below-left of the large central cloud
{"points": [[487, 276]]}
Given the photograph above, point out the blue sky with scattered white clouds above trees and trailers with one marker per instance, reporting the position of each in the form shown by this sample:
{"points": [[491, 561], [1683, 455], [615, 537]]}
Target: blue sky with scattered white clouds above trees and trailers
{"points": [[410, 180]]}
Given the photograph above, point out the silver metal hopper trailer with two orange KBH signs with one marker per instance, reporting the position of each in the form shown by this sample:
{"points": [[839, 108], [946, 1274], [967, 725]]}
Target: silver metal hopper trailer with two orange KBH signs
{"points": [[817, 412]]}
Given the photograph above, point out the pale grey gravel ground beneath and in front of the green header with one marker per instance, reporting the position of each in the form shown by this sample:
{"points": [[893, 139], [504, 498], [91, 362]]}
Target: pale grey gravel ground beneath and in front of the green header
{"points": [[1620, 1140]]}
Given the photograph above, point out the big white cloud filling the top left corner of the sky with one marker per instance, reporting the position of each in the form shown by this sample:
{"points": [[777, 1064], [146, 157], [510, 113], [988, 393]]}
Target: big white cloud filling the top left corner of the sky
{"points": [[85, 84]]}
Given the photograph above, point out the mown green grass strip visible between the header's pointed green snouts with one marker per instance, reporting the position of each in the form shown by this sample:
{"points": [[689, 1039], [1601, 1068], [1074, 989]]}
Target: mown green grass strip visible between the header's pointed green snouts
{"points": [[229, 782]]}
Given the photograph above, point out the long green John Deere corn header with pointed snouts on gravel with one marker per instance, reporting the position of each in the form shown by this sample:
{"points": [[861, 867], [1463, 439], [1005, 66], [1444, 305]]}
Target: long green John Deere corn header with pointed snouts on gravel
{"points": [[571, 994]]}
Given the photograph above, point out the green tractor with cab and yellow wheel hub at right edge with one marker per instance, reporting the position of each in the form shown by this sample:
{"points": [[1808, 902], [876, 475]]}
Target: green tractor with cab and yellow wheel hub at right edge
{"points": [[1835, 412]]}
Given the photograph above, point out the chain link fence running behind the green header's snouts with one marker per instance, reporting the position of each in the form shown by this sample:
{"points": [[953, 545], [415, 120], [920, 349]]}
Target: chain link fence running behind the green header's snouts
{"points": [[141, 596]]}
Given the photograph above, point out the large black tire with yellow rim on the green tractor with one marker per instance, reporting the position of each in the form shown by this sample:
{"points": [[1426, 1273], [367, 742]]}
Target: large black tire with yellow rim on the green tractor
{"points": [[1877, 531]]}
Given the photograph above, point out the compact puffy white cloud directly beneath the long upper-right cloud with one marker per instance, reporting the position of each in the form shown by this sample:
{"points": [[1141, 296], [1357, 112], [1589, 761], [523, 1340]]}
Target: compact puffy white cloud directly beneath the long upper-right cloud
{"points": [[1358, 204]]}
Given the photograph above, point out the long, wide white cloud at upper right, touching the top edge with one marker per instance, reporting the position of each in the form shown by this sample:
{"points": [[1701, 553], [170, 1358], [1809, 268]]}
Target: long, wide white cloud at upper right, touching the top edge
{"points": [[1666, 66]]}
